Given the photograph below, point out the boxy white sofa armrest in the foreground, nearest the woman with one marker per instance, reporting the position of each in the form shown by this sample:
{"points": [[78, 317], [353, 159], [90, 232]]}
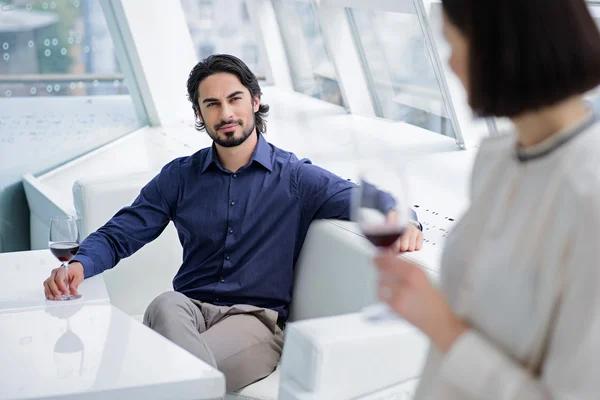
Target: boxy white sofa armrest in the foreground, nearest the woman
{"points": [[346, 356]]}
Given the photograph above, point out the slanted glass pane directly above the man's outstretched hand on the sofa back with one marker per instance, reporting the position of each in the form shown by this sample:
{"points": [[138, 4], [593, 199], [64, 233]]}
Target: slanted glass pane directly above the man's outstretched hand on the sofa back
{"points": [[400, 70]]}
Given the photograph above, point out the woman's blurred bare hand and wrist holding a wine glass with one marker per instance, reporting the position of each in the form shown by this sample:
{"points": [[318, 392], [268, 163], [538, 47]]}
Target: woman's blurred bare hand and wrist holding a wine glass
{"points": [[407, 290]]}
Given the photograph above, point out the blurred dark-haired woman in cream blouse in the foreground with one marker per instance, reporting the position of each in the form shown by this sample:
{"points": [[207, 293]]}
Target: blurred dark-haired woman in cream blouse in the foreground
{"points": [[518, 312]]}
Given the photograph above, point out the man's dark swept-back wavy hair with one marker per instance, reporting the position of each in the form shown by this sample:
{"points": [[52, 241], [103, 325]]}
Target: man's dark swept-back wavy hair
{"points": [[232, 65]]}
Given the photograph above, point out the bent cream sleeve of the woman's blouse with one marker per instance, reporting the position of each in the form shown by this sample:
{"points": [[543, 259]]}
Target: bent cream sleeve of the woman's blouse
{"points": [[571, 367]]}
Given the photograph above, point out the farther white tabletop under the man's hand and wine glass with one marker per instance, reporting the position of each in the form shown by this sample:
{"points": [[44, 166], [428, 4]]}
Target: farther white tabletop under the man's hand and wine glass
{"points": [[23, 274]]}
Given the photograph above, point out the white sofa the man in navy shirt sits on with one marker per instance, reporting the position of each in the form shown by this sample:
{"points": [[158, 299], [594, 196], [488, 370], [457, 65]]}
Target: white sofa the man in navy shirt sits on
{"points": [[333, 277]]}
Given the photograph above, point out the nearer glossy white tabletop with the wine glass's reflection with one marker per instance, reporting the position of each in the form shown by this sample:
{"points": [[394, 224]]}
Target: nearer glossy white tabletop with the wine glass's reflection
{"points": [[95, 351]]}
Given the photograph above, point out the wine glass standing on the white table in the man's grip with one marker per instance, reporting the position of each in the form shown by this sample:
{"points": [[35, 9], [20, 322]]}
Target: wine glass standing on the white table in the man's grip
{"points": [[64, 245]]}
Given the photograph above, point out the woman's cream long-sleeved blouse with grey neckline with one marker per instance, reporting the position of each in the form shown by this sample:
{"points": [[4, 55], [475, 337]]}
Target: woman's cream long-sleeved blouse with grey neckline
{"points": [[527, 249]]}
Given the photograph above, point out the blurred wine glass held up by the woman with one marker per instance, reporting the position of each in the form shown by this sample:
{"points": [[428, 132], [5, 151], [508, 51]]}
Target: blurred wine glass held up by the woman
{"points": [[382, 211]]}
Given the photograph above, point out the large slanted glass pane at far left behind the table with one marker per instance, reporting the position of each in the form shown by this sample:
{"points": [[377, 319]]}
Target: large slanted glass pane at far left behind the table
{"points": [[62, 94]]}
